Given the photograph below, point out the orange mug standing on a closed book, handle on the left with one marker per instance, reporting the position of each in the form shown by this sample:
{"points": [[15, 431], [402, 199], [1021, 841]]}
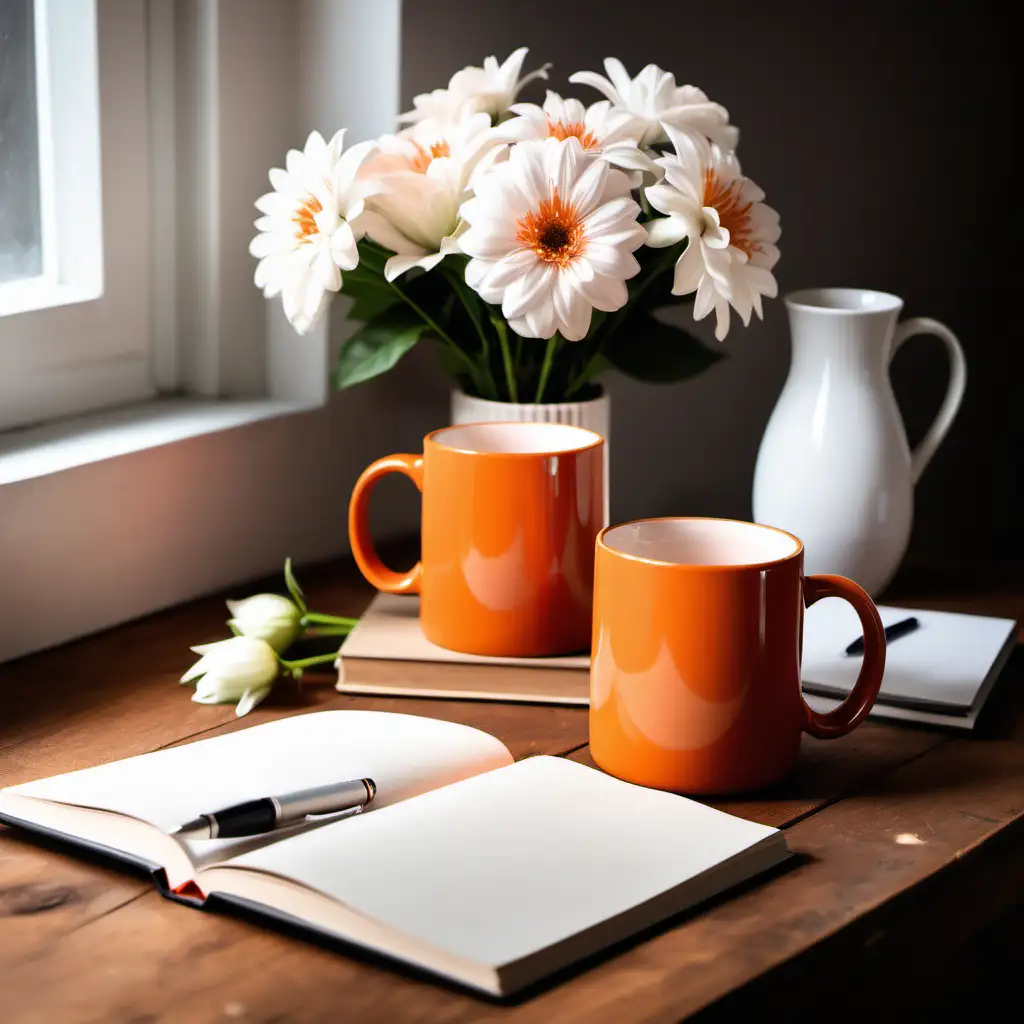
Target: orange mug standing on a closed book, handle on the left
{"points": [[510, 516]]}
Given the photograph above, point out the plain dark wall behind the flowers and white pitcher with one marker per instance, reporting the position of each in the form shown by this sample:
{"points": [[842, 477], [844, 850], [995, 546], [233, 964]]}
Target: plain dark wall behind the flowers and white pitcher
{"points": [[882, 134]]}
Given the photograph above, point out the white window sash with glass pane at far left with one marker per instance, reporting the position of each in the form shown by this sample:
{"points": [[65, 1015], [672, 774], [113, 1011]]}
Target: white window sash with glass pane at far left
{"points": [[74, 207]]}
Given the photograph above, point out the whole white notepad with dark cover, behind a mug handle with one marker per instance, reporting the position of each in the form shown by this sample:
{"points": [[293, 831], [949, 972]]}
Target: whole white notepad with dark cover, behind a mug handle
{"points": [[941, 674]]}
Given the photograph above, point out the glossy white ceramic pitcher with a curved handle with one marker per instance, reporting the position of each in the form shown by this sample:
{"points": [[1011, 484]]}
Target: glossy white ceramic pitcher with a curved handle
{"points": [[835, 467]]}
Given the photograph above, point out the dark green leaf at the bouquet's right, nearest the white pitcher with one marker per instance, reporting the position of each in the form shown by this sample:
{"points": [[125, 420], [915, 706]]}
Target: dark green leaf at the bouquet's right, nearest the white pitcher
{"points": [[648, 350]]}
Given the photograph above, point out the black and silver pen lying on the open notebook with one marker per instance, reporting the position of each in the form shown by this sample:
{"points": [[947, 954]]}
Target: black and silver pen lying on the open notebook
{"points": [[264, 816]]}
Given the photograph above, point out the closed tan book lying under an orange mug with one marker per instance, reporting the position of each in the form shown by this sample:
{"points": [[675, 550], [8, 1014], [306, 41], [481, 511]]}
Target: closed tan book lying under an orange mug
{"points": [[388, 654]]}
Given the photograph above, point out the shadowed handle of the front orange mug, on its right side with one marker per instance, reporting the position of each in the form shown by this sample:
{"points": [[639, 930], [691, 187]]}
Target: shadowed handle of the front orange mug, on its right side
{"points": [[856, 708]]}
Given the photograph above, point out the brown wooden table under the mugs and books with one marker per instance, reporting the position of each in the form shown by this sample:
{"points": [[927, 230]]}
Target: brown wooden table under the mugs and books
{"points": [[908, 883]]}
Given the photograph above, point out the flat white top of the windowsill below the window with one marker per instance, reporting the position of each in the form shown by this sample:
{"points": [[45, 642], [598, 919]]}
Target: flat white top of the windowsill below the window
{"points": [[65, 445]]}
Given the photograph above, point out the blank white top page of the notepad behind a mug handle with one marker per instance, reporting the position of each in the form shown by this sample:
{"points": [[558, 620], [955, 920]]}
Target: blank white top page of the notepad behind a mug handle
{"points": [[947, 660]]}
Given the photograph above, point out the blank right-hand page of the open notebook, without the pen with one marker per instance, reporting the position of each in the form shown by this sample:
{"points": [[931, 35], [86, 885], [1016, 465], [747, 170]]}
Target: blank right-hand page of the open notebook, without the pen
{"points": [[507, 864]]}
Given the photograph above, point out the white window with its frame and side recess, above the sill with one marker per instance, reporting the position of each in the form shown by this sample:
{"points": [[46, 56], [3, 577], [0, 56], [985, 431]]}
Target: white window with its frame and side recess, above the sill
{"points": [[136, 136]]}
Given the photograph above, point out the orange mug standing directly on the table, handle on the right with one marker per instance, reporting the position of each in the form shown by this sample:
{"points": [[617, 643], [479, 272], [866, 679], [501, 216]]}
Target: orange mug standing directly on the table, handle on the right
{"points": [[696, 666]]}
